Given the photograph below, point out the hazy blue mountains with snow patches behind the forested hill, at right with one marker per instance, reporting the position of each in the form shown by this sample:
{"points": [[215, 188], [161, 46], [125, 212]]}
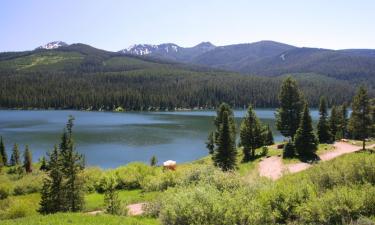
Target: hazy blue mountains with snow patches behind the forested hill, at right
{"points": [[268, 58]]}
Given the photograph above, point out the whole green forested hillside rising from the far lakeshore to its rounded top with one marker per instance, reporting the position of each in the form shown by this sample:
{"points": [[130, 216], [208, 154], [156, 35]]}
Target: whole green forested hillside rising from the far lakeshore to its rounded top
{"points": [[82, 77]]}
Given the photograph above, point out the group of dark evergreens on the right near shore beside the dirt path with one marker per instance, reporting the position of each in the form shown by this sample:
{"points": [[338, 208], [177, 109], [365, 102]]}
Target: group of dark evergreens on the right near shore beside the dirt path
{"points": [[294, 122]]}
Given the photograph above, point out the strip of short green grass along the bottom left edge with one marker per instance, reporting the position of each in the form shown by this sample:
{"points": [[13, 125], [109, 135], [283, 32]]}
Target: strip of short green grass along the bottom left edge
{"points": [[80, 219]]}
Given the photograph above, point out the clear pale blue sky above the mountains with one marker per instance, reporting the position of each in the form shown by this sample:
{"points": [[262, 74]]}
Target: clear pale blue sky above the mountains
{"points": [[116, 24]]}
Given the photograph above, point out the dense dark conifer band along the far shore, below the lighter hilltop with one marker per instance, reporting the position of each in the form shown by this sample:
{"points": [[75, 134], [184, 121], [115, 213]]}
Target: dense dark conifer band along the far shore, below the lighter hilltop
{"points": [[152, 89]]}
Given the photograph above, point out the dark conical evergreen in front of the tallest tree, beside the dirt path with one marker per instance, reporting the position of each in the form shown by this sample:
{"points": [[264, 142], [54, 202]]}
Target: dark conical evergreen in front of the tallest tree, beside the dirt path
{"points": [[305, 141]]}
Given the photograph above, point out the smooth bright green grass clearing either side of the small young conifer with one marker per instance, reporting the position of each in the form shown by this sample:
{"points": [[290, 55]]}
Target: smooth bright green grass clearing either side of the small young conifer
{"points": [[95, 201]]}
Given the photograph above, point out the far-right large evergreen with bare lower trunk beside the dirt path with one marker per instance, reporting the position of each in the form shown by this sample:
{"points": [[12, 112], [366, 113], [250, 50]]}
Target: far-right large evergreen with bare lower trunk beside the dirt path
{"points": [[360, 123]]}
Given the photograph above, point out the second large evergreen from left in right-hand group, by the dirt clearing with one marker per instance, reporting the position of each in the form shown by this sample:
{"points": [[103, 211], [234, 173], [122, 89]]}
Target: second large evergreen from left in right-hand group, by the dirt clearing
{"points": [[251, 134]]}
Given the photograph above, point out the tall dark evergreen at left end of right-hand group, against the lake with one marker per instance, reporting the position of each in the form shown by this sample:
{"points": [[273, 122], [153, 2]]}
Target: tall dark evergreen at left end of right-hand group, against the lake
{"points": [[225, 152]]}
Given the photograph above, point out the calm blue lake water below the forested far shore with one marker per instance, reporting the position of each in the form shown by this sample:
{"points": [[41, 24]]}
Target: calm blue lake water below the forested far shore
{"points": [[110, 139]]}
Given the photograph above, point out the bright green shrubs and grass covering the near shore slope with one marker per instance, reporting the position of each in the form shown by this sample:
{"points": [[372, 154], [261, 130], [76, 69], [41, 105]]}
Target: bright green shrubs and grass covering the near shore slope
{"points": [[192, 192]]}
